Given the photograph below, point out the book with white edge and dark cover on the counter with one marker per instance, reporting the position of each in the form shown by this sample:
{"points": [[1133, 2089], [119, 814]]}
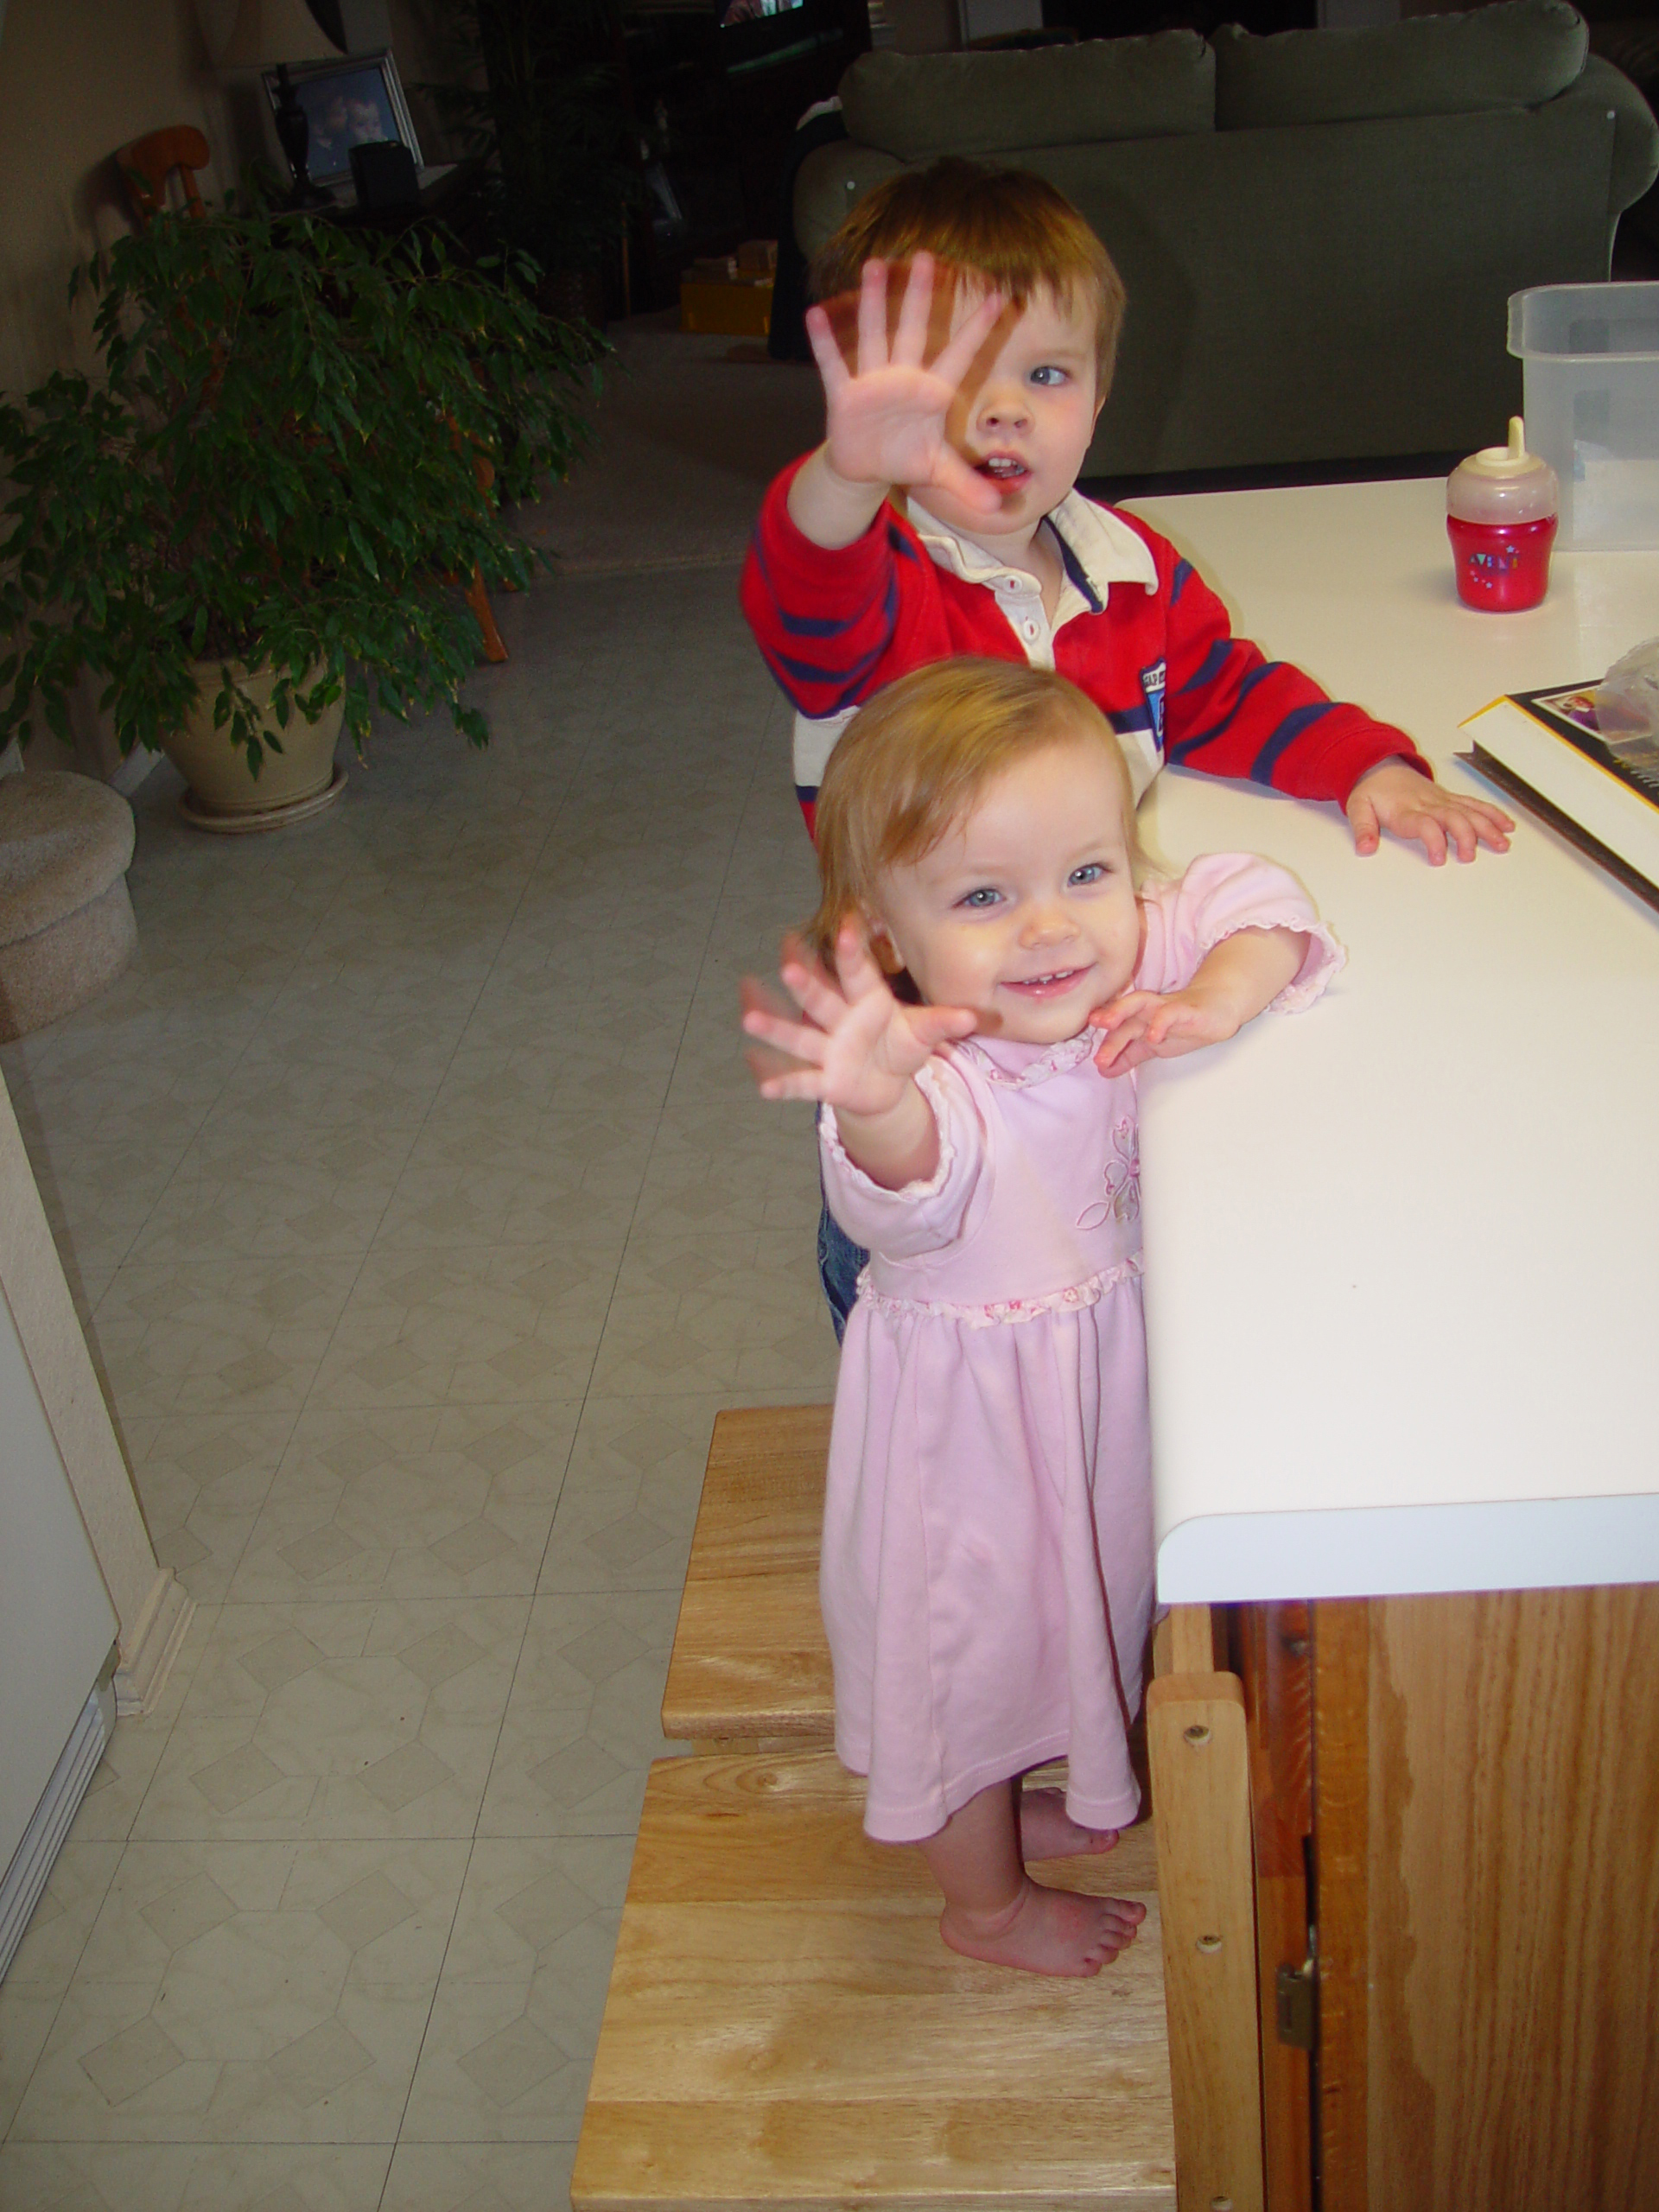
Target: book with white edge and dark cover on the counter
{"points": [[1598, 789]]}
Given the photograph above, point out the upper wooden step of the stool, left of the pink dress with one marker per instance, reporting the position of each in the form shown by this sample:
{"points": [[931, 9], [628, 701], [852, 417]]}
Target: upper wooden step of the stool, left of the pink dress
{"points": [[751, 1669]]}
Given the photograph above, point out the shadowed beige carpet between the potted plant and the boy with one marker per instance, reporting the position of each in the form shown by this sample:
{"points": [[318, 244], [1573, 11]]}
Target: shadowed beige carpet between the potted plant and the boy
{"points": [[687, 441]]}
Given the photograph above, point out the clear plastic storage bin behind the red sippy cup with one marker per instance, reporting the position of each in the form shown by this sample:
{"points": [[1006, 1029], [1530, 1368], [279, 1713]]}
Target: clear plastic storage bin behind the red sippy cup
{"points": [[1592, 366]]}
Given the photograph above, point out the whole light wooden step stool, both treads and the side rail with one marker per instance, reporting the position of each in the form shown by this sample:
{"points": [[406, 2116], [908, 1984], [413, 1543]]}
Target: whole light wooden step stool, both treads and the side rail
{"points": [[784, 2023]]}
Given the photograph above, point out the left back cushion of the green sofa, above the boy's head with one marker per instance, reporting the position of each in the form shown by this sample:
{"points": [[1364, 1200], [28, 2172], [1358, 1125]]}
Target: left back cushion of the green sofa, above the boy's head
{"points": [[924, 105]]}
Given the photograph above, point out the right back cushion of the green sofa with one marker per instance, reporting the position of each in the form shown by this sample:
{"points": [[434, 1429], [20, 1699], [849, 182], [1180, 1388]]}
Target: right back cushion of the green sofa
{"points": [[1514, 54]]}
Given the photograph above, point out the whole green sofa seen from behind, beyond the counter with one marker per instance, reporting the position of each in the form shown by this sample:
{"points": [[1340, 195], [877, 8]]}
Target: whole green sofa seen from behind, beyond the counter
{"points": [[1317, 231]]}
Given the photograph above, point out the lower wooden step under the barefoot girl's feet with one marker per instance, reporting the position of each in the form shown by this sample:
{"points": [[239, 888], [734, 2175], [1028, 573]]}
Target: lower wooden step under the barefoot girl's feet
{"points": [[789, 2030]]}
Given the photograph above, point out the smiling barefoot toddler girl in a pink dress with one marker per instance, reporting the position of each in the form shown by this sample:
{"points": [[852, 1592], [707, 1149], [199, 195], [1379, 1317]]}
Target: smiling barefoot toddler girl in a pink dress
{"points": [[977, 990]]}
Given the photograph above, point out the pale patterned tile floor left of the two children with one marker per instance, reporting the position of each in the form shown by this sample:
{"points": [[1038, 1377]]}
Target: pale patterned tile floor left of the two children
{"points": [[421, 1218]]}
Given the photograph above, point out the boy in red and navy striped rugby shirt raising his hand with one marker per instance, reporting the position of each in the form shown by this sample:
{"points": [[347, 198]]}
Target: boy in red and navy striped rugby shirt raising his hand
{"points": [[941, 517]]}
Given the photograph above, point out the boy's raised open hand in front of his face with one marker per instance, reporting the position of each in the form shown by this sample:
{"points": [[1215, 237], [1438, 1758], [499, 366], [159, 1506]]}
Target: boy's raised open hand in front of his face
{"points": [[886, 419]]}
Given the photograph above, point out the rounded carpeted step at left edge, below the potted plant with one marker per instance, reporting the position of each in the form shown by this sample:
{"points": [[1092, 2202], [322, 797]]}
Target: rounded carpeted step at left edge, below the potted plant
{"points": [[65, 919]]}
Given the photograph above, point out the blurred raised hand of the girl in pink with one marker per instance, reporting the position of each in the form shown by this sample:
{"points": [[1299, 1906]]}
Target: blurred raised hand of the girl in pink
{"points": [[859, 1047]]}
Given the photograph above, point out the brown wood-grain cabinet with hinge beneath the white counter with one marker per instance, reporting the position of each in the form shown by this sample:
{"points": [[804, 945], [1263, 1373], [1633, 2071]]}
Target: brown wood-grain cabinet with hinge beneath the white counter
{"points": [[1459, 1797]]}
